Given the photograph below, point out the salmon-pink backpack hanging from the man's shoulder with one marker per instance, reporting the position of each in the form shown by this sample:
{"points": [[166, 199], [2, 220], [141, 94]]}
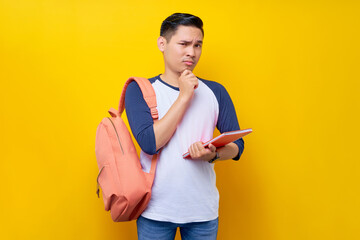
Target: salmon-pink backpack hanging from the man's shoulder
{"points": [[126, 188]]}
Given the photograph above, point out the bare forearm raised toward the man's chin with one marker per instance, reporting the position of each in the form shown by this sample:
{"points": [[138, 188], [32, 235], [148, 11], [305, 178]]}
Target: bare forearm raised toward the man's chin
{"points": [[166, 126]]}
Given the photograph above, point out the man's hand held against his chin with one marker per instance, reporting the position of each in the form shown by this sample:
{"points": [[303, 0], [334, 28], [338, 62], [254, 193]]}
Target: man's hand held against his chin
{"points": [[188, 82]]}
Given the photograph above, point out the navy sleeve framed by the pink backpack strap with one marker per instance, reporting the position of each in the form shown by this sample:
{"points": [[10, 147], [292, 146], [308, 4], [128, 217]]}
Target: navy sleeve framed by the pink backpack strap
{"points": [[140, 120]]}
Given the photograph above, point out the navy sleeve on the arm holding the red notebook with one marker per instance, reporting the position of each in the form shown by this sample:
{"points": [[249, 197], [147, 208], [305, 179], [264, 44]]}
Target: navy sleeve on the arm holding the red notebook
{"points": [[227, 119]]}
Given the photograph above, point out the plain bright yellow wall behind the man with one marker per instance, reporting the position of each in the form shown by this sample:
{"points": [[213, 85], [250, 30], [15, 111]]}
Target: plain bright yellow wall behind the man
{"points": [[291, 68]]}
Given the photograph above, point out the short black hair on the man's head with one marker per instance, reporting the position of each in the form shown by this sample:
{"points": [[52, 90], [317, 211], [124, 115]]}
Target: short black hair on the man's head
{"points": [[171, 24]]}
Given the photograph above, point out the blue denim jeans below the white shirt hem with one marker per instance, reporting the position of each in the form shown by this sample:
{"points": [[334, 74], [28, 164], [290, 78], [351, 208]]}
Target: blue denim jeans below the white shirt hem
{"points": [[150, 230]]}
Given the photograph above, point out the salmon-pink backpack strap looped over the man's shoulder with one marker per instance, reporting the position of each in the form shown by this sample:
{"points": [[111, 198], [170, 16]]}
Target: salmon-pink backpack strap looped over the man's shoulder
{"points": [[147, 91]]}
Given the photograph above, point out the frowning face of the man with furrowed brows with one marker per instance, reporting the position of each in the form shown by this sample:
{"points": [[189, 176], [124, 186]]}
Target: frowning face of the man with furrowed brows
{"points": [[183, 50]]}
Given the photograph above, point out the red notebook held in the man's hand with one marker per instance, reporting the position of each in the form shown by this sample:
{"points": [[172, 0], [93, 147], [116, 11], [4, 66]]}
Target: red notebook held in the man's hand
{"points": [[225, 138]]}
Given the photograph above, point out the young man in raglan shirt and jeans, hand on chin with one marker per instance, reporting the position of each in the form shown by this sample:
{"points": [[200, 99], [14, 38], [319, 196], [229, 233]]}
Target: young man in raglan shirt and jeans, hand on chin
{"points": [[184, 193]]}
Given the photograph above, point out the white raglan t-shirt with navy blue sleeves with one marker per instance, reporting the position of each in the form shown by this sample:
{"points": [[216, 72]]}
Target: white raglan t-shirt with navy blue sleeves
{"points": [[184, 190]]}
